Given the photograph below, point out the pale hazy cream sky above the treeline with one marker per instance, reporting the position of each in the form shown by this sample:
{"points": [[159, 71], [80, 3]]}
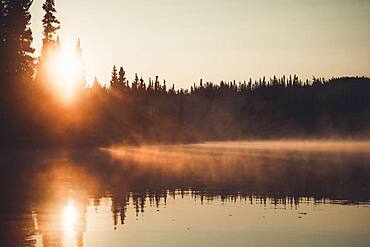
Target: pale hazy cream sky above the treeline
{"points": [[185, 40]]}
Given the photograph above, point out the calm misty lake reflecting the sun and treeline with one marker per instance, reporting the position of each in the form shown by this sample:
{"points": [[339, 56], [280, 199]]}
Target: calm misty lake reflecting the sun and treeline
{"points": [[281, 193]]}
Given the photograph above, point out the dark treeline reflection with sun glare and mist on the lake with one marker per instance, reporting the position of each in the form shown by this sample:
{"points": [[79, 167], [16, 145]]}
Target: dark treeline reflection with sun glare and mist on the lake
{"points": [[46, 195]]}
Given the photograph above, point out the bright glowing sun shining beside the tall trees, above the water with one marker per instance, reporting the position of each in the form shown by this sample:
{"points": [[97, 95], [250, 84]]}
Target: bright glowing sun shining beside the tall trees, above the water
{"points": [[65, 71]]}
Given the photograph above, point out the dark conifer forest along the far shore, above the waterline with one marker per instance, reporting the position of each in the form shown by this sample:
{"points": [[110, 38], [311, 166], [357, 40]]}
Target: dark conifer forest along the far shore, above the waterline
{"points": [[152, 110]]}
